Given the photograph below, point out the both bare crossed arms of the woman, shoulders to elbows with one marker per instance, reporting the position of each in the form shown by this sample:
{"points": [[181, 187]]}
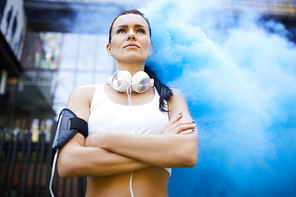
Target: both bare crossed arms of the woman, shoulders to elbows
{"points": [[109, 153]]}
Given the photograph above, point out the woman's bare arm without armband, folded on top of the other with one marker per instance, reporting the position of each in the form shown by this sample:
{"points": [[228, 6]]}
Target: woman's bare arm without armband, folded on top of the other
{"points": [[168, 150]]}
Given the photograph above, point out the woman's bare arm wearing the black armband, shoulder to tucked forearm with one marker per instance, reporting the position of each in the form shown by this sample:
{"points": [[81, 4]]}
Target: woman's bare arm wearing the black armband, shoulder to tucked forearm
{"points": [[76, 160]]}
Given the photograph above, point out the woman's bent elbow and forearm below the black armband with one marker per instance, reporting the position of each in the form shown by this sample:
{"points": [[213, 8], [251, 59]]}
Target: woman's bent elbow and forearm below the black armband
{"points": [[75, 160]]}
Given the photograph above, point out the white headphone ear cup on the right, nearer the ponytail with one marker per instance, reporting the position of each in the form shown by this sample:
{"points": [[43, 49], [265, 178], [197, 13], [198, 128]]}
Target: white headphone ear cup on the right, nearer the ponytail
{"points": [[141, 82]]}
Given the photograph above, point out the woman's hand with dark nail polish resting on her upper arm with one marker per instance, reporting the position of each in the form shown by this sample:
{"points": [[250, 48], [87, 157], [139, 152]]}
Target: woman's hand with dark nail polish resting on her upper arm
{"points": [[176, 126]]}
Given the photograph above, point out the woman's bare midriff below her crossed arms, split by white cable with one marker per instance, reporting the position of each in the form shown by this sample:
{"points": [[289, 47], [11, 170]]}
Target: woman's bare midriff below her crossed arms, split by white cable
{"points": [[148, 182]]}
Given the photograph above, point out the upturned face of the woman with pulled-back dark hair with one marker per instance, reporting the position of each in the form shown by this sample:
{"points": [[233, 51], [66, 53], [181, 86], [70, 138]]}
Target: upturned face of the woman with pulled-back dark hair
{"points": [[130, 39]]}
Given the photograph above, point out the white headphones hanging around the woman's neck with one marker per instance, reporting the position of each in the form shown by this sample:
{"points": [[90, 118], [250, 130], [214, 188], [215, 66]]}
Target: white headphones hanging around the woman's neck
{"points": [[122, 79]]}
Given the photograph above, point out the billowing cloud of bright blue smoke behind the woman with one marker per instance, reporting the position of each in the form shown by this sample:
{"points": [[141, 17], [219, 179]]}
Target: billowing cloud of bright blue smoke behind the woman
{"points": [[241, 90]]}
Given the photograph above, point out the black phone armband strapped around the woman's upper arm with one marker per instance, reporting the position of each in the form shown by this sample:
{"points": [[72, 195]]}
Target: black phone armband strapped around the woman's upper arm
{"points": [[68, 125]]}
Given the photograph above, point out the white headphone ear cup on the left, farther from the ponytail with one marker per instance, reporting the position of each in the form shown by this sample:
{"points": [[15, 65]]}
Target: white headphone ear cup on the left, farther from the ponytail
{"points": [[120, 80]]}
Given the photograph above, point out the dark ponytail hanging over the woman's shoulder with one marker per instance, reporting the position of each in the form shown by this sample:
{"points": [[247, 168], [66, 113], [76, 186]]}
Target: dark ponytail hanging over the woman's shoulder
{"points": [[164, 91]]}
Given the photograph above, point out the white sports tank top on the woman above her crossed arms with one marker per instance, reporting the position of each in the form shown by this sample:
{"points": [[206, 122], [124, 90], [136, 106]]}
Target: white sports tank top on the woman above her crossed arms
{"points": [[107, 115]]}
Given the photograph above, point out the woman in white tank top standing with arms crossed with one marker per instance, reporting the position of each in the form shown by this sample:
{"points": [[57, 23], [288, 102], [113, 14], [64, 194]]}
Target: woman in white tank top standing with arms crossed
{"points": [[116, 160]]}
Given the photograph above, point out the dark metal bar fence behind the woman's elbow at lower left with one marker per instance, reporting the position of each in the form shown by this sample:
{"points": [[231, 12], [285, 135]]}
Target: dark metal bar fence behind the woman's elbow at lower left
{"points": [[25, 167]]}
